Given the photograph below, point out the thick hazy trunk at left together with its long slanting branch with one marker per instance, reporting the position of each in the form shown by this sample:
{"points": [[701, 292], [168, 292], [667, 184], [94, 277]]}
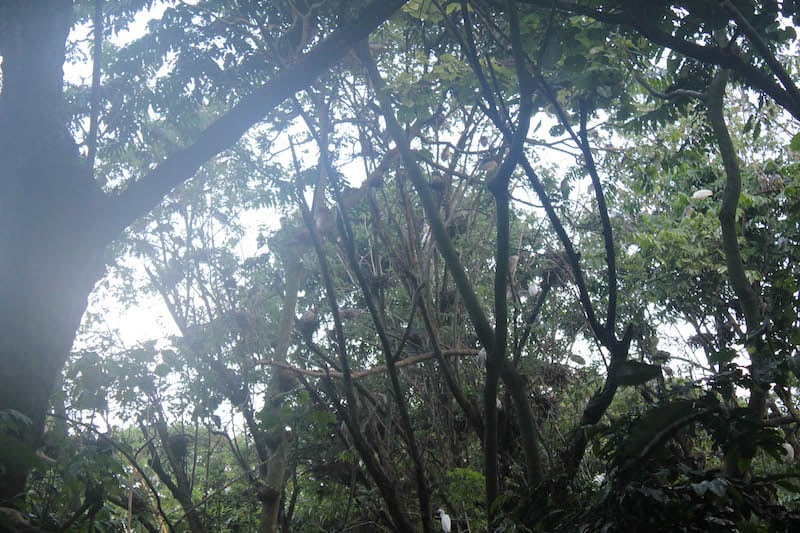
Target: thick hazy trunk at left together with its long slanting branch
{"points": [[57, 220]]}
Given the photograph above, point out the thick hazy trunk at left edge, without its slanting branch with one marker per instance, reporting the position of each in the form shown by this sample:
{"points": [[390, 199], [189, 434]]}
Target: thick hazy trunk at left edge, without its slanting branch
{"points": [[49, 261]]}
